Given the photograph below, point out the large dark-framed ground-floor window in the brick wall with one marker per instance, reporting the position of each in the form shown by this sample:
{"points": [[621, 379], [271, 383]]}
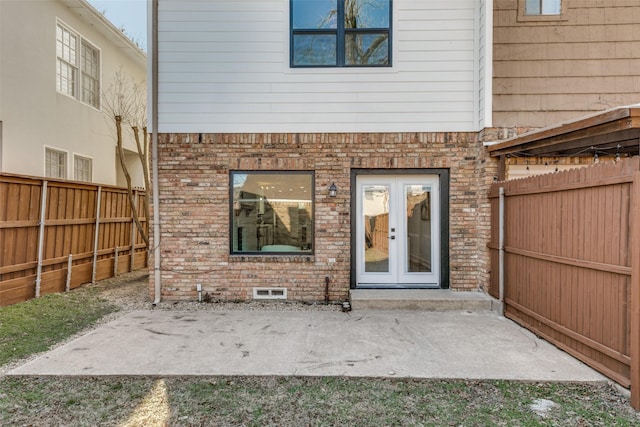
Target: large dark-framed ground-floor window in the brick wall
{"points": [[271, 212]]}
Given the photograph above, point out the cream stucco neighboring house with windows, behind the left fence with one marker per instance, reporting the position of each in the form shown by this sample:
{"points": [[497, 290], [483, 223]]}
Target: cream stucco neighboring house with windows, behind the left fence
{"points": [[56, 59]]}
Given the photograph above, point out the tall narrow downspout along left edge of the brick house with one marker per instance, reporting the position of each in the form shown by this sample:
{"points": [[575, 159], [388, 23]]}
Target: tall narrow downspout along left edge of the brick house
{"points": [[154, 152]]}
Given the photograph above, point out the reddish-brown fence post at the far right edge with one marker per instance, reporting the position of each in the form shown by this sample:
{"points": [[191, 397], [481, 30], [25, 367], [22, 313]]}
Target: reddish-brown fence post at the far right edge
{"points": [[635, 292]]}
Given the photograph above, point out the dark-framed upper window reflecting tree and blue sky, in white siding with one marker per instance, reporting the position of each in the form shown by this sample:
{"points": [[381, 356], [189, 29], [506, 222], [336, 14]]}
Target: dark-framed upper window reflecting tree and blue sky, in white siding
{"points": [[340, 33]]}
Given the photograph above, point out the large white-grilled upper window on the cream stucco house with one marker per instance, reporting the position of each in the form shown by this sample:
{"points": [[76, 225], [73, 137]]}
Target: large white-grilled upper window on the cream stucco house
{"points": [[77, 67]]}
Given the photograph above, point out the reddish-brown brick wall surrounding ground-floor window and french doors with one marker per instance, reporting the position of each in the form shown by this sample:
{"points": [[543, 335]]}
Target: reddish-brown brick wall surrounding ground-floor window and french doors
{"points": [[193, 181]]}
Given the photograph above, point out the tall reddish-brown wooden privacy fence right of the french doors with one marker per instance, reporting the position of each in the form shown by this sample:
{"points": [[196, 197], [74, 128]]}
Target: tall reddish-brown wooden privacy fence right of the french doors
{"points": [[571, 263]]}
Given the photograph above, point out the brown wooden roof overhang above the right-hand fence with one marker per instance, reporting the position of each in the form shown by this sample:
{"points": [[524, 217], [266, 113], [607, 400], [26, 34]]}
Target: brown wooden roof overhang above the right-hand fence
{"points": [[608, 132]]}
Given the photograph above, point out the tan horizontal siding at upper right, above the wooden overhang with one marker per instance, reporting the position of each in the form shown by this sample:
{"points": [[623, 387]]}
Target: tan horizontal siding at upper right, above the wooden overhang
{"points": [[552, 70]]}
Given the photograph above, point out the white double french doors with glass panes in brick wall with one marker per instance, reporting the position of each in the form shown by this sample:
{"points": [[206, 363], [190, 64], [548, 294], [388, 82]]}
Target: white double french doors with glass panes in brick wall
{"points": [[397, 231]]}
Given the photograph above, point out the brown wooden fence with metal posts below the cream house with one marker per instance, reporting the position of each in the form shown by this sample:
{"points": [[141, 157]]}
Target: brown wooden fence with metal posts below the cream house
{"points": [[58, 235]]}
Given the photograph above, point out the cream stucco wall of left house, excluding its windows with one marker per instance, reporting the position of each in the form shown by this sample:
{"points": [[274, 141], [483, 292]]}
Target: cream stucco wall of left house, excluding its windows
{"points": [[33, 113]]}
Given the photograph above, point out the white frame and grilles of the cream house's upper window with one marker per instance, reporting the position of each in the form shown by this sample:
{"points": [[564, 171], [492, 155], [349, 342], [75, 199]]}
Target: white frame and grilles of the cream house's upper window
{"points": [[81, 77]]}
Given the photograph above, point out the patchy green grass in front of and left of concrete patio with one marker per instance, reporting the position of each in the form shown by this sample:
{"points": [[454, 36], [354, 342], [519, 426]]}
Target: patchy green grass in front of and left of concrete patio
{"points": [[36, 325]]}
